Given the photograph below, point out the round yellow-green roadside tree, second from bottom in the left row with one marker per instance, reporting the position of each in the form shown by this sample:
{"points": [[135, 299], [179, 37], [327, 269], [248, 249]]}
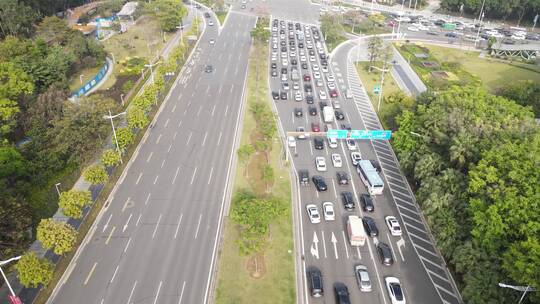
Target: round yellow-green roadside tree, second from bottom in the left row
{"points": [[58, 236]]}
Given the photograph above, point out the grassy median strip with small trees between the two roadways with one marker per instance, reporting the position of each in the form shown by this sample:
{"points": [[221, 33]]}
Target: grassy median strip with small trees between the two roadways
{"points": [[277, 284]]}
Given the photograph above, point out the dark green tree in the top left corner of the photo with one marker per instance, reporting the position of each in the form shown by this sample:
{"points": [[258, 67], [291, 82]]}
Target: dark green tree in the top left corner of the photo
{"points": [[16, 19]]}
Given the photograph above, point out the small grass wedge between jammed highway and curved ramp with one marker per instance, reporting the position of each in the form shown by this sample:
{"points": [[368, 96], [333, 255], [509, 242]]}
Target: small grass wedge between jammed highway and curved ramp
{"points": [[369, 80]]}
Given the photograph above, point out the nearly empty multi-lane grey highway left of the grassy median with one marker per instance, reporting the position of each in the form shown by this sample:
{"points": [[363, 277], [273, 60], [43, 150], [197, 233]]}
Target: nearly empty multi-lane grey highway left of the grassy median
{"points": [[156, 240]]}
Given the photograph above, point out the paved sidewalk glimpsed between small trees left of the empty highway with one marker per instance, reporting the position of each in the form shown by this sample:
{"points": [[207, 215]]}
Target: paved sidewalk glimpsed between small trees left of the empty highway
{"points": [[28, 295]]}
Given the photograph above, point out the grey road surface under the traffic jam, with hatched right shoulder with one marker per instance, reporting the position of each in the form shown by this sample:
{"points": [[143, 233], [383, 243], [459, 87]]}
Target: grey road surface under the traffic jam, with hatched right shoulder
{"points": [[417, 263]]}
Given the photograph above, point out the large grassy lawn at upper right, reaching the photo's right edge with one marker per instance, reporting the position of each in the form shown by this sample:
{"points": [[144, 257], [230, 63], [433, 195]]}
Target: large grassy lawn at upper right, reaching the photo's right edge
{"points": [[464, 67]]}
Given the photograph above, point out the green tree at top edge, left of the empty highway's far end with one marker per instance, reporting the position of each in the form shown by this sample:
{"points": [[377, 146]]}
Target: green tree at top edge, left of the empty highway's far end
{"points": [[168, 12]]}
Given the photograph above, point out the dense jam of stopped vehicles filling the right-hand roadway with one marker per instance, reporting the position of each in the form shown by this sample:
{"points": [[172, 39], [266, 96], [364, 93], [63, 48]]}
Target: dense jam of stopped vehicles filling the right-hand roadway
{"points": [[301, 64]]}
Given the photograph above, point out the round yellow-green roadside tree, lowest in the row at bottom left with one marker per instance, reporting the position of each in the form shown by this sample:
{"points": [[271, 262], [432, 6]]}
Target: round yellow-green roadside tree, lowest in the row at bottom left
{"points": [[33, 271]]}
